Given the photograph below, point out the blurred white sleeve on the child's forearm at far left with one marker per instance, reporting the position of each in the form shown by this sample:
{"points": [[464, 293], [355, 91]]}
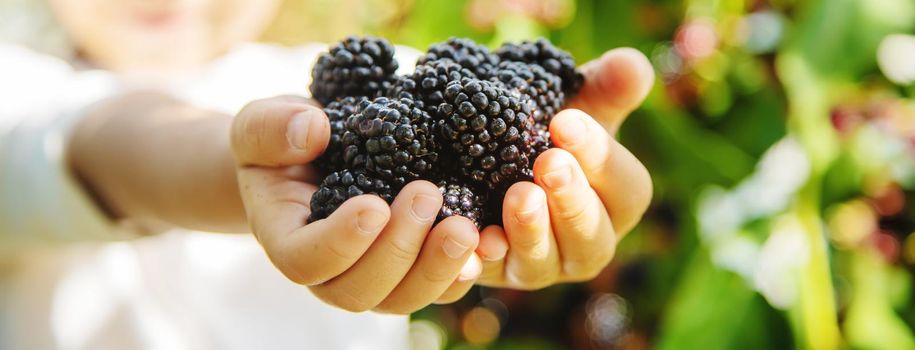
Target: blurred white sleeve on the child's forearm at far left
{"points": [[40, 201]]}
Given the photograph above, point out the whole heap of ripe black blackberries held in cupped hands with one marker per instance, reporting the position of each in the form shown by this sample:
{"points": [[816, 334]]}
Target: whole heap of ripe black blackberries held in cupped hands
{"points": [[468, 119]]}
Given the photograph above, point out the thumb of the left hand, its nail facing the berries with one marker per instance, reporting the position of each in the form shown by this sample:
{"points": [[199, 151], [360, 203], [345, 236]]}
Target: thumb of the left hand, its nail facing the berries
{"points": [[279, 131]]}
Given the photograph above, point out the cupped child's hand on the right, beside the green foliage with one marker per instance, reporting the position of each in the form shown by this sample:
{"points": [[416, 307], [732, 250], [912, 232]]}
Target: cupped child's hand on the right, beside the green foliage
{"points": [[589, 191]]}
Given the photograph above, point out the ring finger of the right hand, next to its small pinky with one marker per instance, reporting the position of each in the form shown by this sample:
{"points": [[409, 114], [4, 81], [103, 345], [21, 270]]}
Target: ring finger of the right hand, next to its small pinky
{"points": [[533, 260]]}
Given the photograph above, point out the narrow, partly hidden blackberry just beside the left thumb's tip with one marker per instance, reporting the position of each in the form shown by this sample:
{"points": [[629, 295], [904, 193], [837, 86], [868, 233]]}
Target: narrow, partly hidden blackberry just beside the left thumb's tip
{"points": [[337, 113]]}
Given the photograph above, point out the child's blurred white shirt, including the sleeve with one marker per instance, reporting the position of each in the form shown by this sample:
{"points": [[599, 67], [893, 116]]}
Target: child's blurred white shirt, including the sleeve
{"points": [[179, 290]]}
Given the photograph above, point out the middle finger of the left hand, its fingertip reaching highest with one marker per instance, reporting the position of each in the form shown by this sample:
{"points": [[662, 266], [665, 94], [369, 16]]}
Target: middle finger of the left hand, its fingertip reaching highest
{"points": [[391, 256]]}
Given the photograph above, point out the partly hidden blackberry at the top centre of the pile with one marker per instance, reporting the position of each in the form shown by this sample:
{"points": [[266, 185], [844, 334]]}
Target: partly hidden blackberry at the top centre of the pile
{"points": [[475, 57]]}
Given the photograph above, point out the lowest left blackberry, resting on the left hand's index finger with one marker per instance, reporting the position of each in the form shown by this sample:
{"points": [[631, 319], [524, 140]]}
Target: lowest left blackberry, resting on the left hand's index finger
{"points": [[342, 185]]}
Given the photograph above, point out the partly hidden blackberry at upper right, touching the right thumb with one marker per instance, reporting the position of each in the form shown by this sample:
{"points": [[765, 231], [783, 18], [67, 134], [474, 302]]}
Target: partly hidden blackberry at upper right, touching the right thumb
{"points": [[551, 58]]}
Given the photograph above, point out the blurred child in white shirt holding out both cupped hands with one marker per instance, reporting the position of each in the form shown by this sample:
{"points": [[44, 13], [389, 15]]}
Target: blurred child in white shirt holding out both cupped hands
{"points": [[134, 137]]}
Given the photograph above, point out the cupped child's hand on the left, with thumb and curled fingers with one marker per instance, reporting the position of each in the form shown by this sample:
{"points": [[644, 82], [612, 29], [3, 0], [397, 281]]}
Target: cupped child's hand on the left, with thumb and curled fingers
{"points": [[366, 255]]}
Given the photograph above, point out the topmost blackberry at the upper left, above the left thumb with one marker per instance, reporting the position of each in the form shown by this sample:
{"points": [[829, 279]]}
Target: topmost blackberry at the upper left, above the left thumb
{"points": [[354, 67]]}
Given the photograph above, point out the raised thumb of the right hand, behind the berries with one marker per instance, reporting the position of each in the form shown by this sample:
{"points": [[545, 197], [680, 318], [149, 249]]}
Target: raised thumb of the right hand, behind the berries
{"points": [[615, 84]]}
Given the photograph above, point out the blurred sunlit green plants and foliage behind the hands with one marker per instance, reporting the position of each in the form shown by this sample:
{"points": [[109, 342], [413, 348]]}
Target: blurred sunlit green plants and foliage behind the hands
{"points": [[781, 141]]}
